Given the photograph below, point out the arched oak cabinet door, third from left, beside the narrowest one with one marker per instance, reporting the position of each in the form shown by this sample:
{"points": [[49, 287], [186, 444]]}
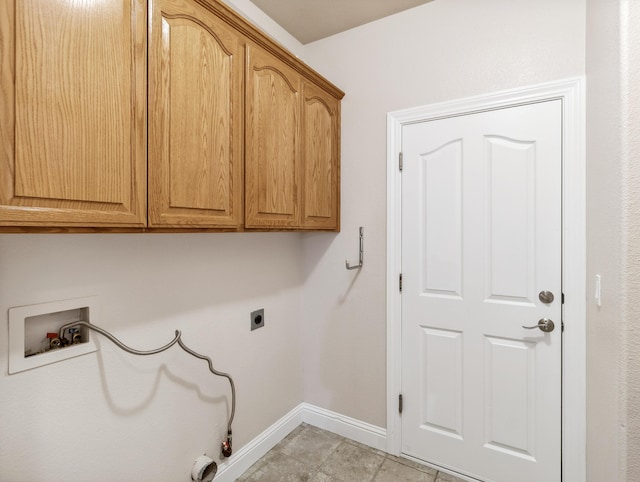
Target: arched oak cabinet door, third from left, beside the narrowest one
{"points": [[272, 142]]}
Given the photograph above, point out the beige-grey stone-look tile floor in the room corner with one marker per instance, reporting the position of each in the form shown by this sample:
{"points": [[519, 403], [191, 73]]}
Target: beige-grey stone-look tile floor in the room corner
{"points": [[310, 454]]}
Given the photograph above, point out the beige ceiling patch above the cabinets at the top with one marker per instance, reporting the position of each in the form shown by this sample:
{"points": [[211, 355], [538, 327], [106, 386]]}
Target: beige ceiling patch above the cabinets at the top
{"points": [[310, 20]]}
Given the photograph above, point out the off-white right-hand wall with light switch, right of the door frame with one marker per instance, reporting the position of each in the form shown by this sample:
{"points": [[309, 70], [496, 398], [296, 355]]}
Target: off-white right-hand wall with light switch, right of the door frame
{"points": [[613, 208]]}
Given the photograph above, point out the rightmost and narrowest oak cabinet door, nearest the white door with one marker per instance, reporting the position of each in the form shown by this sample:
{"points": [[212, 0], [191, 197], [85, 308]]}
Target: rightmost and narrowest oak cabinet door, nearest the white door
{"points": [[321, 160]]}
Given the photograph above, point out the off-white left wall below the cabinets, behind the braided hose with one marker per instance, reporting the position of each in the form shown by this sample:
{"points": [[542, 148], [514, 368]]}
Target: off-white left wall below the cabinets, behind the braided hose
{"points": [[113, 416]]}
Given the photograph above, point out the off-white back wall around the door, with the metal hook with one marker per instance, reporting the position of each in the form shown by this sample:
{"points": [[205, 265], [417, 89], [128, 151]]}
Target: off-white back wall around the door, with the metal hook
{"points": [[439, 51]]}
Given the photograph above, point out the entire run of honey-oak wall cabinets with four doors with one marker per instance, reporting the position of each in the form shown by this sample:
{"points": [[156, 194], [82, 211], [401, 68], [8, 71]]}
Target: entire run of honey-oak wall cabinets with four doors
{"points": [[241, 134]]}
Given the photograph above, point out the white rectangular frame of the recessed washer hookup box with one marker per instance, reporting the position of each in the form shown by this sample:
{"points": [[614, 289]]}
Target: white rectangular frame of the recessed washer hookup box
{"points": [[18, 362]]}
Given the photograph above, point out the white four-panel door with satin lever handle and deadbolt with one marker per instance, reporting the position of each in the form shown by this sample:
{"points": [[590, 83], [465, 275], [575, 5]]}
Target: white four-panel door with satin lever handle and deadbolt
{"points": [[481, 238]]}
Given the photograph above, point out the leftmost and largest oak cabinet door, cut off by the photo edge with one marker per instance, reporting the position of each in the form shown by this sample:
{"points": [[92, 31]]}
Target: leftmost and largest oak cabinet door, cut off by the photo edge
{"points": [[72, 113]]}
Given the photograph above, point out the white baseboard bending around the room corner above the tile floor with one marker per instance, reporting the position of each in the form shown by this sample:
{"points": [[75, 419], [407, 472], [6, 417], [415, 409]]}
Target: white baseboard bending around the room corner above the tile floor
{"points": [[348, 427]]}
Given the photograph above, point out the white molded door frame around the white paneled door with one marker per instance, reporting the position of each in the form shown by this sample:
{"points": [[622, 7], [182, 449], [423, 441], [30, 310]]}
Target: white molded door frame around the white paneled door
{"points": [[571, 93]]}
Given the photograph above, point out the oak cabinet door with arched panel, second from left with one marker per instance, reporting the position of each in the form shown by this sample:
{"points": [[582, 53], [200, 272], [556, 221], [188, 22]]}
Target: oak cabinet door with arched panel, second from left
{"points": [[195, 118]]}
